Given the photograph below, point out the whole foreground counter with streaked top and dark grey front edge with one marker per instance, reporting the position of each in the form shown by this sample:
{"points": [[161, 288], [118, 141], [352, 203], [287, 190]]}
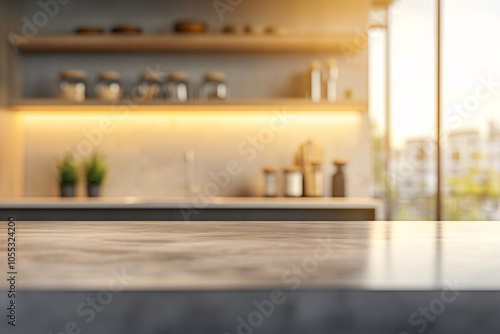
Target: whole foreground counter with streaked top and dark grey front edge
{"points": [[222, 277]]}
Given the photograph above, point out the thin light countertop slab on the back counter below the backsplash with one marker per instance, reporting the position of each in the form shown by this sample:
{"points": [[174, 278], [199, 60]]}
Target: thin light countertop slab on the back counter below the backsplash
{"points": [[187, 202]]}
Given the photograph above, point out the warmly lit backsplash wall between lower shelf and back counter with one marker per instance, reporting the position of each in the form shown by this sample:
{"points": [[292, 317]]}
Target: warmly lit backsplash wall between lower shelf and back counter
{"points": [[146, 153]]}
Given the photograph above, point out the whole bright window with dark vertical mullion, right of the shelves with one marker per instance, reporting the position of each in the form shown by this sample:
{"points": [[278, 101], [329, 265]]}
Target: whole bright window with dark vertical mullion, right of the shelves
{"points": [[470, 100]]}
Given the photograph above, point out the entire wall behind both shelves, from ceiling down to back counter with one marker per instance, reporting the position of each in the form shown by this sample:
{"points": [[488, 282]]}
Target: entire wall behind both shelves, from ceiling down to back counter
{"points": [[146, 153]]}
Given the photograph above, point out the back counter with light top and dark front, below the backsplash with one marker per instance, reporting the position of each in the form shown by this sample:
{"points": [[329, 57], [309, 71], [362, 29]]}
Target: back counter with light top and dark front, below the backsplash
{"points": [[191, 209]]}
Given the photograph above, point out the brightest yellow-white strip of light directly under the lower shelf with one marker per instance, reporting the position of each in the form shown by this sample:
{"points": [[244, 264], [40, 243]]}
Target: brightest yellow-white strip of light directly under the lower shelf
{"points": [[191, 122]]}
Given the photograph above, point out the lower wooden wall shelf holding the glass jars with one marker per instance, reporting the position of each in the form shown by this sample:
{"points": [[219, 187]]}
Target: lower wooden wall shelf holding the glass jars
{"points": [[290, 104]]}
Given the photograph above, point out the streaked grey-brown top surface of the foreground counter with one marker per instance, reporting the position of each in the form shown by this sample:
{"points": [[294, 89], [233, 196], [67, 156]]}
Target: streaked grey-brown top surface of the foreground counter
{"points": [[215, 256]]}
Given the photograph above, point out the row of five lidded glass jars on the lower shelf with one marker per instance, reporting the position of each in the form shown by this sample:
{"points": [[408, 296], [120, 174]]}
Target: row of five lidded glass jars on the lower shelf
{"points": [[152, 85]]}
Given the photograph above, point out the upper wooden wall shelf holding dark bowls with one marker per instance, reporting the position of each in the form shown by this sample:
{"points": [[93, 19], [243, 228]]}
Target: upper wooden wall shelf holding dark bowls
{"points": [[192, 42]]}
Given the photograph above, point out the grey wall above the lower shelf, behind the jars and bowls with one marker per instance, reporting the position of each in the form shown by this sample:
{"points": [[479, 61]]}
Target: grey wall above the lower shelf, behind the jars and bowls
{"points": [[248, 75]]}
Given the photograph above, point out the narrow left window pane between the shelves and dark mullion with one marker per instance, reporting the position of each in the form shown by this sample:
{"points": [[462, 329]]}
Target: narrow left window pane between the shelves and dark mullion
{"points": [[412, 123]]}
